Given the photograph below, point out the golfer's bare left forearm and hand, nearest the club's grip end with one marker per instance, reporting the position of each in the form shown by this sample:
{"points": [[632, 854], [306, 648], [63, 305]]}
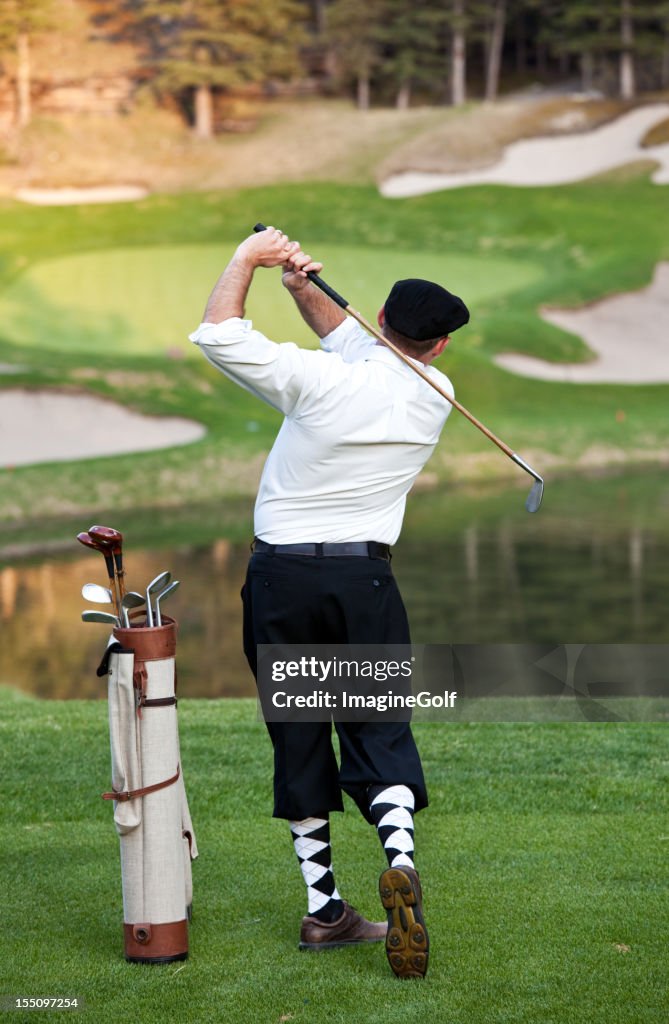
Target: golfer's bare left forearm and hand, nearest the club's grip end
{"points": [[269, 248]]}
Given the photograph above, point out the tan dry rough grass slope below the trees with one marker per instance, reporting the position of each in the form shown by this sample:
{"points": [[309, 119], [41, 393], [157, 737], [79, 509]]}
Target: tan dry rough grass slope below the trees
{"points": [[312, 140]]}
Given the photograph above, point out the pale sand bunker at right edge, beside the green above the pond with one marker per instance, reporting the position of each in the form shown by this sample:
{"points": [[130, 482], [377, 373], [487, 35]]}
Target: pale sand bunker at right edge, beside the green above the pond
{"points": [[630, 333]]}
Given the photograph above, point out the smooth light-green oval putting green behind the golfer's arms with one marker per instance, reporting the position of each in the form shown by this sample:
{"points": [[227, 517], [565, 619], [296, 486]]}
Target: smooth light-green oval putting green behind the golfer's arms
{"points": [[148, 300]]}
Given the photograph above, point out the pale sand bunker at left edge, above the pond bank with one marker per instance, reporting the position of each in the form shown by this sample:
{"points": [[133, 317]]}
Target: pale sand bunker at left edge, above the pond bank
{"points": [[51, 426]]}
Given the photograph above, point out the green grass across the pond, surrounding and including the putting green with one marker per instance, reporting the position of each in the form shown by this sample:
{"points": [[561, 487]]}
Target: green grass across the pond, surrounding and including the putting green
{"points": [[509, 251]]}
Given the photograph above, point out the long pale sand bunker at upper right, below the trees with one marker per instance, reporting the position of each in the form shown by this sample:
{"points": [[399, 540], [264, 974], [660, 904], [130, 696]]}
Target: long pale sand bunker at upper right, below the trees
{"points": [[550, 161]]}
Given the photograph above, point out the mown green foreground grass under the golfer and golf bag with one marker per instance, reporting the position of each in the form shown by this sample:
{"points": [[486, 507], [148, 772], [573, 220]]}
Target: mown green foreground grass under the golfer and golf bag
{"points": [[543, 857]]}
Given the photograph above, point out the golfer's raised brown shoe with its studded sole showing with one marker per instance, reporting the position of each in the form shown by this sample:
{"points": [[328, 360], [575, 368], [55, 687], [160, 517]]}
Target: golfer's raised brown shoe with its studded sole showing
{"points": [[406, 944]]}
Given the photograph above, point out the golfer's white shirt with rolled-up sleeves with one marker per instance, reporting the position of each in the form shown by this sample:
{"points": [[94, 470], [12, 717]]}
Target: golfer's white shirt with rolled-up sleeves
{"points": [[359, 428]]}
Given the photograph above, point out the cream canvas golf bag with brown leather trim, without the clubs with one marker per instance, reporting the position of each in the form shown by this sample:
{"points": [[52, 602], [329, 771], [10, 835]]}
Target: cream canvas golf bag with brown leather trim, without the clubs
{"points": [[151, 810]]}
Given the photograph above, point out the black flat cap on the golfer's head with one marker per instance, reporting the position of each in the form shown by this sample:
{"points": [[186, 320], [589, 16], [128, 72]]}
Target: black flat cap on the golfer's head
{"points": [[422, 310]]}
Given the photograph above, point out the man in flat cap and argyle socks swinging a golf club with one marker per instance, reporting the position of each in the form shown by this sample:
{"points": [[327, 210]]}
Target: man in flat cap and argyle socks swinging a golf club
{"points": [[359, 428]]}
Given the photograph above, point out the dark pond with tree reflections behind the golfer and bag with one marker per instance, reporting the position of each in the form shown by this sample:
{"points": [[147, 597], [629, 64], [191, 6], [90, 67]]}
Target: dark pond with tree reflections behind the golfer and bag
{"points": [[593, 567]]}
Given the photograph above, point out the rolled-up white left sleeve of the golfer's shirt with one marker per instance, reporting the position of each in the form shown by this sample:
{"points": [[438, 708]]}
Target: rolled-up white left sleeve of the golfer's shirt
{"points": [[275, 373]]}
